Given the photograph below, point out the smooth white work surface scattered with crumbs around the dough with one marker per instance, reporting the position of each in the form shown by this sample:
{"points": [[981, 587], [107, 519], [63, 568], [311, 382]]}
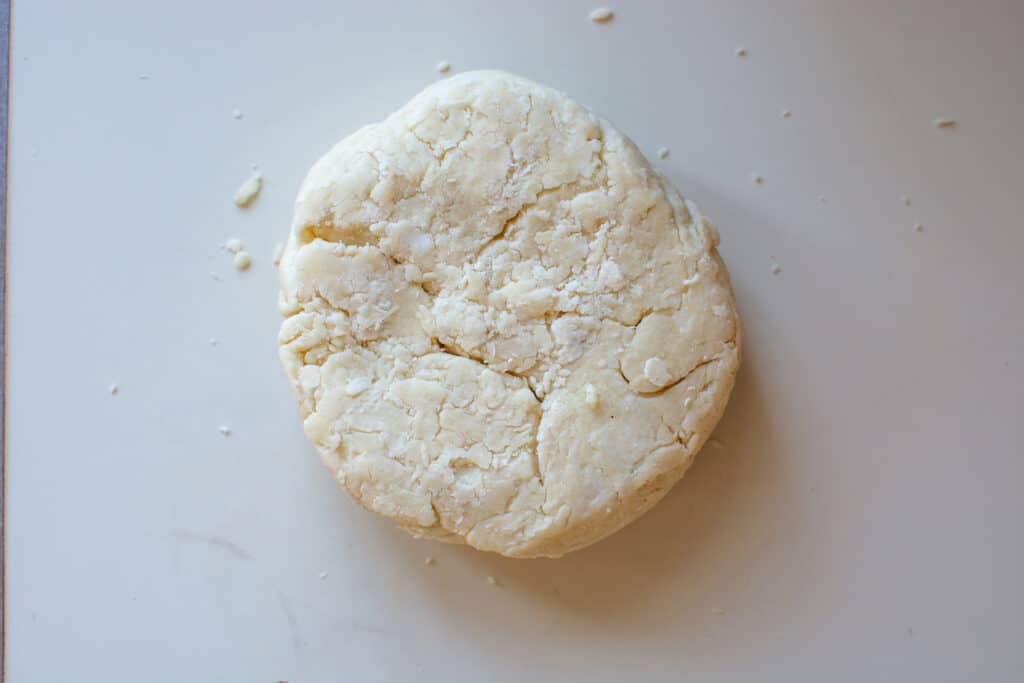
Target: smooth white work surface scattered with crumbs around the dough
{"points": [[864, 520]]}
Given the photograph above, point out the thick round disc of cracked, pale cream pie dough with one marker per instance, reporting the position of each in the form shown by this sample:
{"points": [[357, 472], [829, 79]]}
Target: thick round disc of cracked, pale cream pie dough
{"points": [[503, 327]]}
